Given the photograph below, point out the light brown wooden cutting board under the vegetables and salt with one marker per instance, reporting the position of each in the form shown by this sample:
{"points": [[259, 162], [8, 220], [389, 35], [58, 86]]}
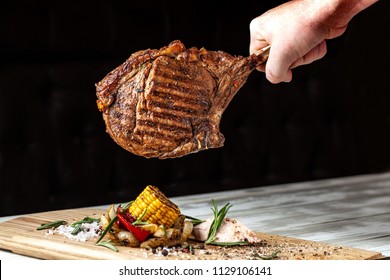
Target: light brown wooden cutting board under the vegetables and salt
{"points": [[20, 236]]}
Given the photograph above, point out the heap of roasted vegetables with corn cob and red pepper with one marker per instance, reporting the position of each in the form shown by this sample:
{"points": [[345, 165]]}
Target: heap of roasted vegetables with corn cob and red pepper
{"points": [[151, 220]]}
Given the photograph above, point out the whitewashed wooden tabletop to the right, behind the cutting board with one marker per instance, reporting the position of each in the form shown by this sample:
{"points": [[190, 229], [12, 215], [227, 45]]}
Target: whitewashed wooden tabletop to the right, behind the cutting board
{"points": [[354, 211]]}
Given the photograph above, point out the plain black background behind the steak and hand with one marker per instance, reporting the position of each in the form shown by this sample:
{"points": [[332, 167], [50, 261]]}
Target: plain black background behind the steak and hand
{"points": [[332, 120]]}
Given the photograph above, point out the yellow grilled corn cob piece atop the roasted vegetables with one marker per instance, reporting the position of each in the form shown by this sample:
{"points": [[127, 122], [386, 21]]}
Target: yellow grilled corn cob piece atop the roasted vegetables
{"points": [[154, 207]]}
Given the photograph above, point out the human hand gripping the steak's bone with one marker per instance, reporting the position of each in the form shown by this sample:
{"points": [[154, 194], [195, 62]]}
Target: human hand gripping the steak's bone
{"points": [[297, 31]]}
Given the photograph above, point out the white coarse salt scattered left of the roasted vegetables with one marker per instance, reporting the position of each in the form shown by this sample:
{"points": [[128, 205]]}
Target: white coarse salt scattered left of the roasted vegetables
{"points": [[87, 231]]}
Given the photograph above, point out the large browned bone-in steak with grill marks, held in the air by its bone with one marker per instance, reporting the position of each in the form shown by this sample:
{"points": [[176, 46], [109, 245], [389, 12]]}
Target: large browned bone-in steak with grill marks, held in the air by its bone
{"points": [[168, 102]]}
